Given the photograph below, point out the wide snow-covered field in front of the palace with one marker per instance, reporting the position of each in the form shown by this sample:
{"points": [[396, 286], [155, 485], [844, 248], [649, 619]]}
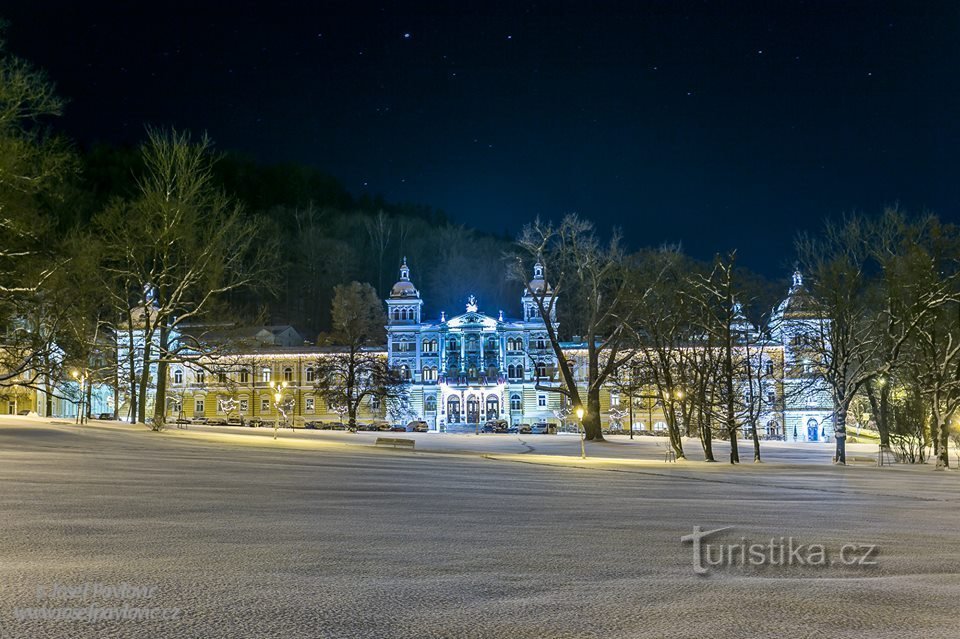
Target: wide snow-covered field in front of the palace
{"points": [[228, 533]]}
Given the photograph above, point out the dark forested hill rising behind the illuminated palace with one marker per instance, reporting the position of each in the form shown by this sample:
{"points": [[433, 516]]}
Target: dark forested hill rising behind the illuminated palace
{"points": [[329, 236]]}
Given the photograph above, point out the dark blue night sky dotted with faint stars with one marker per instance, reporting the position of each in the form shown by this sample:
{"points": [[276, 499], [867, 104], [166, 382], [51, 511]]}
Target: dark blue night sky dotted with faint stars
{"points": [[722, 125]]}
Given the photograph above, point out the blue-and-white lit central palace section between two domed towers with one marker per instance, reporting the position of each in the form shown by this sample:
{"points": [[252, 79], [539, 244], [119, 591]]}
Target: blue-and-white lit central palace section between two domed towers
{"points": [[474, 367]]}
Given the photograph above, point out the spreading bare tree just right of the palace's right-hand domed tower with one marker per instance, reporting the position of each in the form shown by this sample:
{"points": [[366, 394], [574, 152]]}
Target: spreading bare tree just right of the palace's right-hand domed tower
{"points": [[866, 308]]}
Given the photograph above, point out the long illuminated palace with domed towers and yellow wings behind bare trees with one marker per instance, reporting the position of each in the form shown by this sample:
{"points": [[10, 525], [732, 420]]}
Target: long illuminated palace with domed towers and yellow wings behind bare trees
{"points": [[475, 367]]}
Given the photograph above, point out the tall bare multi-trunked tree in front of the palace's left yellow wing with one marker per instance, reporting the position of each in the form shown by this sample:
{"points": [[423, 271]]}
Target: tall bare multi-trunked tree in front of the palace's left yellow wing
{"points": [[184, 244]]}
